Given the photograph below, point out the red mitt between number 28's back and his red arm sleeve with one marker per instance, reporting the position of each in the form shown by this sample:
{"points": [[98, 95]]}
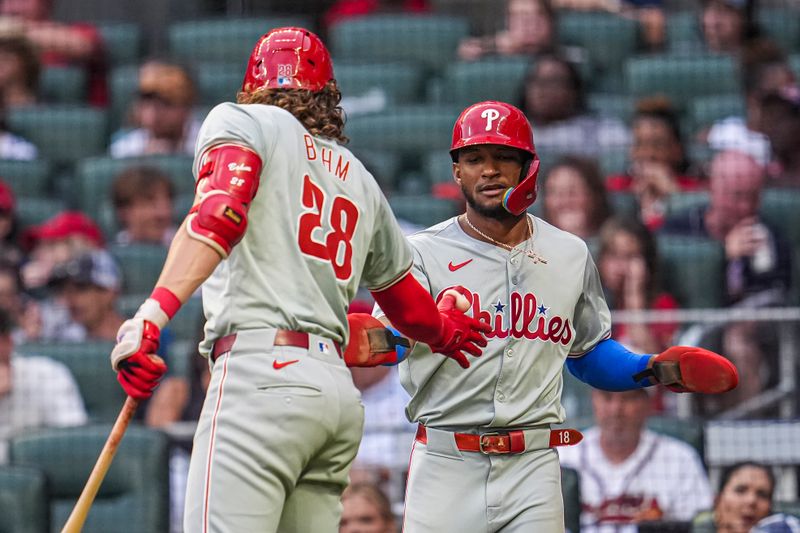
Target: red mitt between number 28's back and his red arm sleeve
{"points": [[371, 343]]}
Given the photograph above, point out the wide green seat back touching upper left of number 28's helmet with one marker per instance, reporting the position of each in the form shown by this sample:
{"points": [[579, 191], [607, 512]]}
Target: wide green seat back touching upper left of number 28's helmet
{"points": [[224, 39]]}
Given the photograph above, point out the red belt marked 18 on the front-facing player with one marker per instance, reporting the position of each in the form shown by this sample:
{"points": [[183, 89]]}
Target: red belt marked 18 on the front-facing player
{"points": [[503, 442]]}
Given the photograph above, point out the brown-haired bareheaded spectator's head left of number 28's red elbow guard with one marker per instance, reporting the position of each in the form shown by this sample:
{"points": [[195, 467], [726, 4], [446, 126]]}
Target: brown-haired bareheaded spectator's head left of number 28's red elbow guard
{"points": [[143, 202]]}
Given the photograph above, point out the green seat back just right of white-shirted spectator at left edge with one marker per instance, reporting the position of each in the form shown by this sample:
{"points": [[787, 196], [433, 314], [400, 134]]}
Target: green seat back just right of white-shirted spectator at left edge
{"points": [[90, 366]]}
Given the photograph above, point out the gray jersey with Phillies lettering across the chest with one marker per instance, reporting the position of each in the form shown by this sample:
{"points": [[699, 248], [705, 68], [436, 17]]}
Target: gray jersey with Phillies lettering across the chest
{"points": [[541, 313]]}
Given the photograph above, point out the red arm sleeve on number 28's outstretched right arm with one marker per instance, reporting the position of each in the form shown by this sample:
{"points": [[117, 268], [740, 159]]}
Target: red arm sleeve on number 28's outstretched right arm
{"points": [[411, 310]]}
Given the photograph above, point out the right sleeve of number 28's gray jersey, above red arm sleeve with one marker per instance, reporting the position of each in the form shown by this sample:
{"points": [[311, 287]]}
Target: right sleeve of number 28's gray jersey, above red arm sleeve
{"points": [[389, 257]]}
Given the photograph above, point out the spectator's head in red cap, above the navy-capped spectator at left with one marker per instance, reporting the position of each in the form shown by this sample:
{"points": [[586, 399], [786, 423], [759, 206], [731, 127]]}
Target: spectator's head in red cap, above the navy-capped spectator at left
{"points": [[56, 241]]}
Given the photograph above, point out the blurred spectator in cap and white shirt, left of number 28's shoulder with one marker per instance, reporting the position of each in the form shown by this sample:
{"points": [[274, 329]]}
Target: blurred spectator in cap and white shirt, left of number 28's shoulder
{"points": [[162, 113]]}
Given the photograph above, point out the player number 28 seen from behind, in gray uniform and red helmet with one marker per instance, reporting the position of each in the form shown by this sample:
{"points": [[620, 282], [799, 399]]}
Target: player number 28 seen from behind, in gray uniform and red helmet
{"points": [[285, 226]]}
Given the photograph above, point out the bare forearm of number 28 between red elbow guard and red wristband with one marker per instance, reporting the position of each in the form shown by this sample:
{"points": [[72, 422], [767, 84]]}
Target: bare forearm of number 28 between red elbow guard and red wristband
{"points": [[189, 263]]}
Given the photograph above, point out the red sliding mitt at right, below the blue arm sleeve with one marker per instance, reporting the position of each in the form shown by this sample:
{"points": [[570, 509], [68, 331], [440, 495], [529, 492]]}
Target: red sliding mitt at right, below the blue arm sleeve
{"points": [[691, 369]]}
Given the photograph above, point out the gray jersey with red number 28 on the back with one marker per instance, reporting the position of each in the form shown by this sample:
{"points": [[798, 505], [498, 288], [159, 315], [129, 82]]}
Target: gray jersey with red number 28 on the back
{"points": [[317, 228]]}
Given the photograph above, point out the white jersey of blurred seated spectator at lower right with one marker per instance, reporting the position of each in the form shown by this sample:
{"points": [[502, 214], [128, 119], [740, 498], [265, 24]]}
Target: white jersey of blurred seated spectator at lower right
{"points": [[662, 478]]}
